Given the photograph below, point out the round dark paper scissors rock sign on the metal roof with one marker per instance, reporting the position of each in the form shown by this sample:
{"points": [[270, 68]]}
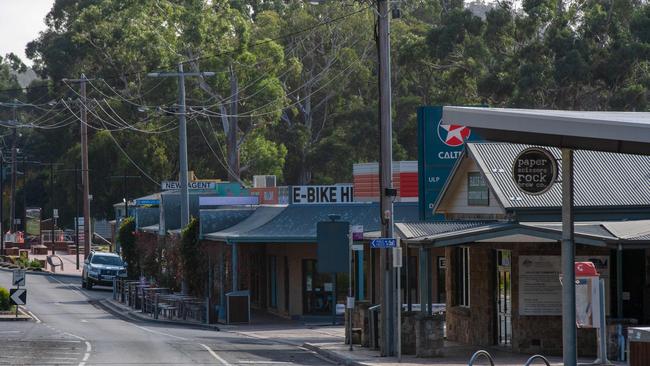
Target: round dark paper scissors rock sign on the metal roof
{"points": [[534, 170]]}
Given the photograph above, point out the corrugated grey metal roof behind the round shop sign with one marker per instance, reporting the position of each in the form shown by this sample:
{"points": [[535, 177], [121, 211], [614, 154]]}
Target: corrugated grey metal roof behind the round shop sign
{"points": [[601, 178]]}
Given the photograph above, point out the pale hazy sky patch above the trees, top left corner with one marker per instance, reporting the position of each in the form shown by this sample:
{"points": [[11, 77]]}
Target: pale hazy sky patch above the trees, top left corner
{"points": [[20, 22]]}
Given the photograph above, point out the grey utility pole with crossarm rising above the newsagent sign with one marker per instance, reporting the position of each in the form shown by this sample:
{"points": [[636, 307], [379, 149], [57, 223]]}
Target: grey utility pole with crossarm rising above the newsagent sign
{"points": [[182, 135]]}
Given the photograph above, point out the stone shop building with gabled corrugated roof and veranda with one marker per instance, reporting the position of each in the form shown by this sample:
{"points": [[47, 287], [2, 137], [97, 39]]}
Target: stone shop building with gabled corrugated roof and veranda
{"points": [[502, 275]]}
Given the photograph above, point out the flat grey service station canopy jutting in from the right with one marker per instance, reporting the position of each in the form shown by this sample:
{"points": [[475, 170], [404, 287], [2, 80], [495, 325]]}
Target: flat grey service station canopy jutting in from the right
{"points": [[624, 132]]}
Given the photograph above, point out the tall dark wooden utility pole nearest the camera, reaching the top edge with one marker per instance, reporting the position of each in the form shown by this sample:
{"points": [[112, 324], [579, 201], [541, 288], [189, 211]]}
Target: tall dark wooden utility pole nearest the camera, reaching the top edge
{"points": [[388, 305]]}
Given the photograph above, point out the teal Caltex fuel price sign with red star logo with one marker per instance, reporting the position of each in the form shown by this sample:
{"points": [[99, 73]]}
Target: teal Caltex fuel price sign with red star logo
{"points": [[440, 144]]}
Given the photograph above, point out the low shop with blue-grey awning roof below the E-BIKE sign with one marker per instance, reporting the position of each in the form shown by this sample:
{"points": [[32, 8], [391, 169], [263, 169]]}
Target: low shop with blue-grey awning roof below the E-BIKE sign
{"points": [[274, 252]]}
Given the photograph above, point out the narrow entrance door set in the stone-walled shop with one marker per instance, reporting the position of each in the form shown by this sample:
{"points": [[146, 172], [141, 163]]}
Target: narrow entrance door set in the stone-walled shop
{"points": [[504, 299]]}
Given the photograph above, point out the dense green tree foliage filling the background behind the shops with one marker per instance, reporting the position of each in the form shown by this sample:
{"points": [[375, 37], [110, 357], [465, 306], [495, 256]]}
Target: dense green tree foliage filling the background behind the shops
{"points": [[295, 90]]}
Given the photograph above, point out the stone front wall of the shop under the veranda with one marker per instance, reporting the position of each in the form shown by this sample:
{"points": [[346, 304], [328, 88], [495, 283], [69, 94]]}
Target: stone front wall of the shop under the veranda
{"points": [[475, 324]]}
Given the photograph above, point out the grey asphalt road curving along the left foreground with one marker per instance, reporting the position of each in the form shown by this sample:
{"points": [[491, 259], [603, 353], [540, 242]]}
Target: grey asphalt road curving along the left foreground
{"points": [[72, 331]]}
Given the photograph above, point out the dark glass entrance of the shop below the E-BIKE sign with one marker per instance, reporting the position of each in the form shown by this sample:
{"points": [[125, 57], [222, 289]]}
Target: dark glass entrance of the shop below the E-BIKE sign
{"points": [[317, 290]]}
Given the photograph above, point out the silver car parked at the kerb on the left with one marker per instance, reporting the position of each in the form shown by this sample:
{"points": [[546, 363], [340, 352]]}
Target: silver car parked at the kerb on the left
{"points": [[100, 268]]}
